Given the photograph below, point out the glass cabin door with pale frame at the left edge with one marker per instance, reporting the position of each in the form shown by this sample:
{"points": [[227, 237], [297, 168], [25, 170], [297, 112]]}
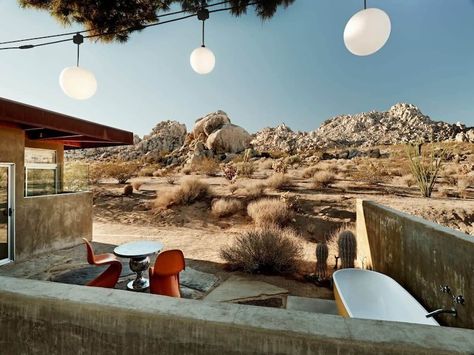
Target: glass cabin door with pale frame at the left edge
{"points": [[6, 213]]}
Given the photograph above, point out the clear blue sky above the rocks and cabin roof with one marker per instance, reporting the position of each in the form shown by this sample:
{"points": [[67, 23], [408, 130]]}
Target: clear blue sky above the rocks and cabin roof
{"points": [[293, 68]]}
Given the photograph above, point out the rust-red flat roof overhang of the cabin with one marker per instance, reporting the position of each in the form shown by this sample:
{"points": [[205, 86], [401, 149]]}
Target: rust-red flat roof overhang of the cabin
{"points": [[75, 133]]}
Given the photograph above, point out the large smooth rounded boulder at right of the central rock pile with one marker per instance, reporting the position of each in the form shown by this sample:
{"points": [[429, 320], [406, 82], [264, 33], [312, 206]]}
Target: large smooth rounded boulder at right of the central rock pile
{"points": [[229, 139]]}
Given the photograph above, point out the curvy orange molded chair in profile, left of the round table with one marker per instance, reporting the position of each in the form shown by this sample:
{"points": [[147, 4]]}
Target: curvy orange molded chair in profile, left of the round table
{"points": [[110, 276]]}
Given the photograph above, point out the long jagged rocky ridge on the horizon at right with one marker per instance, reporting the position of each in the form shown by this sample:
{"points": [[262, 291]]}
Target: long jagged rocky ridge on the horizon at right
{"points": [[401, 123]]}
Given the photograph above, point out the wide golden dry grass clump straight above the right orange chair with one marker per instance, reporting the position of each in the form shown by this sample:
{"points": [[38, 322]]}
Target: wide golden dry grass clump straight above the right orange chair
{"points": [[190, 190]]}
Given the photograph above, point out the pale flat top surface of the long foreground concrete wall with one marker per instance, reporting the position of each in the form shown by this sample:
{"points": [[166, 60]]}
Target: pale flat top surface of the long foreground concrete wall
{"points": [[375, 335]]}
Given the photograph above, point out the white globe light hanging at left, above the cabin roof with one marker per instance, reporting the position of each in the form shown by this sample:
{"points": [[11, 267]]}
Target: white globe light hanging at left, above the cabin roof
{"points": [[78, 83]]}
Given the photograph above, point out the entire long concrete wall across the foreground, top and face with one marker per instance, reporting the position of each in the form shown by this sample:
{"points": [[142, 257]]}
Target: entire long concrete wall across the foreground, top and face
{"points": [[39, 317]]}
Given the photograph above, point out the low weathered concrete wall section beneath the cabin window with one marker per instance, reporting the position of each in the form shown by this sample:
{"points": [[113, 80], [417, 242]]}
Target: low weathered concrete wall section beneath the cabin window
{"points": [[52, 222]]}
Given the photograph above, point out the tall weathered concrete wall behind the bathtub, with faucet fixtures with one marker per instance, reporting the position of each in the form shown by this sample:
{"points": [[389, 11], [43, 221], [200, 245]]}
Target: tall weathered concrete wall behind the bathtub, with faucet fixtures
{"points": [[421, 256]]}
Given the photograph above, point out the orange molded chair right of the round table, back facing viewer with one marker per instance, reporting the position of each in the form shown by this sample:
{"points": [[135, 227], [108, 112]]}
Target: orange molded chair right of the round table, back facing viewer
{"points": [[164, 276]]}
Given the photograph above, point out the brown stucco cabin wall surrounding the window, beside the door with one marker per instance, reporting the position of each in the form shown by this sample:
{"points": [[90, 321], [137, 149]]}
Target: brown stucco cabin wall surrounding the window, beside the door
{"points": [[45, 222]]}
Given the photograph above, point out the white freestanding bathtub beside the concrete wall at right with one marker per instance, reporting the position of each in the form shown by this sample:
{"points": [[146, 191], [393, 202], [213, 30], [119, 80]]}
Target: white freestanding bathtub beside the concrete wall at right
{"points": [[372, 295]]}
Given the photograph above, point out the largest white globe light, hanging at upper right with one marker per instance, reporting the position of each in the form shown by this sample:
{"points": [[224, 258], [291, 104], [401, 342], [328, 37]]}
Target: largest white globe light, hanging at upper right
{"points": [[367, 32]]}
